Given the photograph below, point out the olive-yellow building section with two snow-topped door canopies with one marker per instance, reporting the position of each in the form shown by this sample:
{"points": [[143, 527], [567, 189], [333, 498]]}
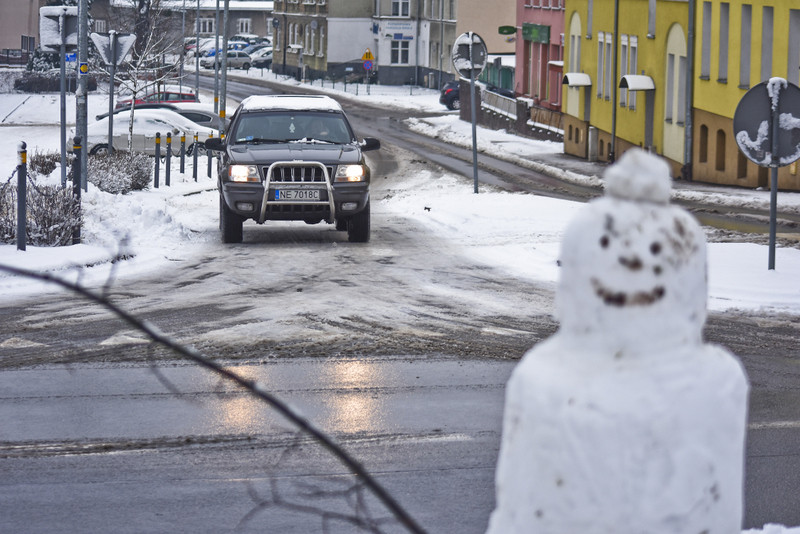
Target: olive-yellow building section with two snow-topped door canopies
{"points": [[635, 97]]}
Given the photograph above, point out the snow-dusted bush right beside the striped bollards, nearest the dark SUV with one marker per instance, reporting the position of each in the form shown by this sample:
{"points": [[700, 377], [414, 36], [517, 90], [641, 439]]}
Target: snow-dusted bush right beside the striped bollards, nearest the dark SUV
{"points": [[121, 172]]}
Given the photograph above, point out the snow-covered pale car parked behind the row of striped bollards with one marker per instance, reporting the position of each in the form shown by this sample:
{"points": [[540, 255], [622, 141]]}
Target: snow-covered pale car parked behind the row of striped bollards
{"points": [[146, 123]]}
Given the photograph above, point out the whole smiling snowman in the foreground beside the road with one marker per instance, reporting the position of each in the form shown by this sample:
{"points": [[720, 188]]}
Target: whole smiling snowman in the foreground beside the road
{"points": [[624, 421]]}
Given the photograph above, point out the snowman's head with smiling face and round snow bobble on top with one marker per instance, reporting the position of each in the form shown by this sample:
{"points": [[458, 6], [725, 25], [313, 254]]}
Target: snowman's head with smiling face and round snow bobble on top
{"points": [[633, 268]]}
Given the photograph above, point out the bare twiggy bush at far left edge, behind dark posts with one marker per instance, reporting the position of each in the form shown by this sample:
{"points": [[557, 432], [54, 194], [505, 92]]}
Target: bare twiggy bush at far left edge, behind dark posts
{"points": [[52, 214]]}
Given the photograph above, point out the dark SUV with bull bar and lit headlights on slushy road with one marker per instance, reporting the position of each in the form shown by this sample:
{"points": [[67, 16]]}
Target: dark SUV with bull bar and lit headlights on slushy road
{"points": [[292, 158]]}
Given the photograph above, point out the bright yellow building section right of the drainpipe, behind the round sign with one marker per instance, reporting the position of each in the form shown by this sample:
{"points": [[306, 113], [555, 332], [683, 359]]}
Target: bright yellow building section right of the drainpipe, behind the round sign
{"points": [[738, 45]]}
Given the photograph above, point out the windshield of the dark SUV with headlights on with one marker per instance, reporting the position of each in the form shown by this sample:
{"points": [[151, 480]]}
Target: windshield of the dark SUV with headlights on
{"points": [[287, 126]]}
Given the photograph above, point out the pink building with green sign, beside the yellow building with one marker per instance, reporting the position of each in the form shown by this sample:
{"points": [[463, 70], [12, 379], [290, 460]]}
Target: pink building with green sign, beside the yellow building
{"points": [[539, 51]]}
